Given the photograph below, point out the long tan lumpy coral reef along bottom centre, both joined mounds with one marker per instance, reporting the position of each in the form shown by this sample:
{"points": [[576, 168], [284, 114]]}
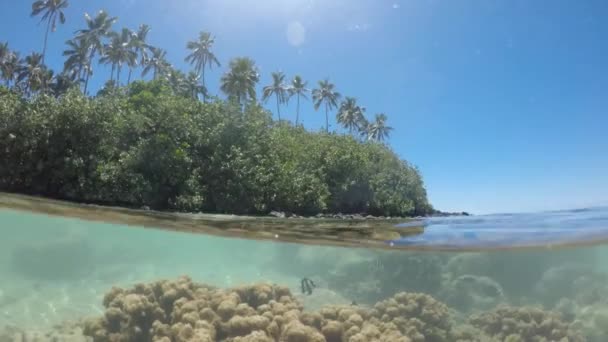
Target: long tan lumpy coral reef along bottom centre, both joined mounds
{"points": [[185, 311]]}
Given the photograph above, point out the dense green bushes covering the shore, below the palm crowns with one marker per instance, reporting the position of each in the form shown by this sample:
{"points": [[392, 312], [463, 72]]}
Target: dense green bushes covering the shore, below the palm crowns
{"points": [[143, 145]]}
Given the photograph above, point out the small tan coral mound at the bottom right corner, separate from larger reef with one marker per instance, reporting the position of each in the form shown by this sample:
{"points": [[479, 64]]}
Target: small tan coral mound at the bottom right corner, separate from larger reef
{"points": [[519, 324]]}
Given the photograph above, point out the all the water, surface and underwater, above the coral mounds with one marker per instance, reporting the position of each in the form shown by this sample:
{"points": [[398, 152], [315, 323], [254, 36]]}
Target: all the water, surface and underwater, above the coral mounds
{"points": [[57, 261]]}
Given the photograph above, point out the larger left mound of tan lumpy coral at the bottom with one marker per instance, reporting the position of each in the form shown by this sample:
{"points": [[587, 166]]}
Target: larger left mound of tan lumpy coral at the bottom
{"points": [[184, 311]]}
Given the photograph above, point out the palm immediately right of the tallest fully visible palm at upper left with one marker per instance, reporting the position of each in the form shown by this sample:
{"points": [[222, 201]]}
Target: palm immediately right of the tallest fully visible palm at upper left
{"points": [[118, 52]]}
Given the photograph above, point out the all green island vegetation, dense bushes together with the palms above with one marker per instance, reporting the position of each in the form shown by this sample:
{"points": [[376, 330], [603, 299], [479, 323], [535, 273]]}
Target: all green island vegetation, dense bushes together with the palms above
{"points": [[156, 144]]}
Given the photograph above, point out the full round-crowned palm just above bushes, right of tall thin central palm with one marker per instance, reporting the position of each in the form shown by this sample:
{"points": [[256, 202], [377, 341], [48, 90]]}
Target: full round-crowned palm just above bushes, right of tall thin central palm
{"points": [[240, 81]]}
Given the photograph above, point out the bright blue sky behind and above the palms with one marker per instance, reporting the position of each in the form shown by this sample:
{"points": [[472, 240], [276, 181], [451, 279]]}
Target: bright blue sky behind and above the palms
{"points": [[502, 104]]}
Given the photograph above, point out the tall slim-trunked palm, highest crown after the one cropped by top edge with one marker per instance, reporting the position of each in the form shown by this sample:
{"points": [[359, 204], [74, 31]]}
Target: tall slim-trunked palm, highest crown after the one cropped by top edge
{"points": [[97, 29]]}
